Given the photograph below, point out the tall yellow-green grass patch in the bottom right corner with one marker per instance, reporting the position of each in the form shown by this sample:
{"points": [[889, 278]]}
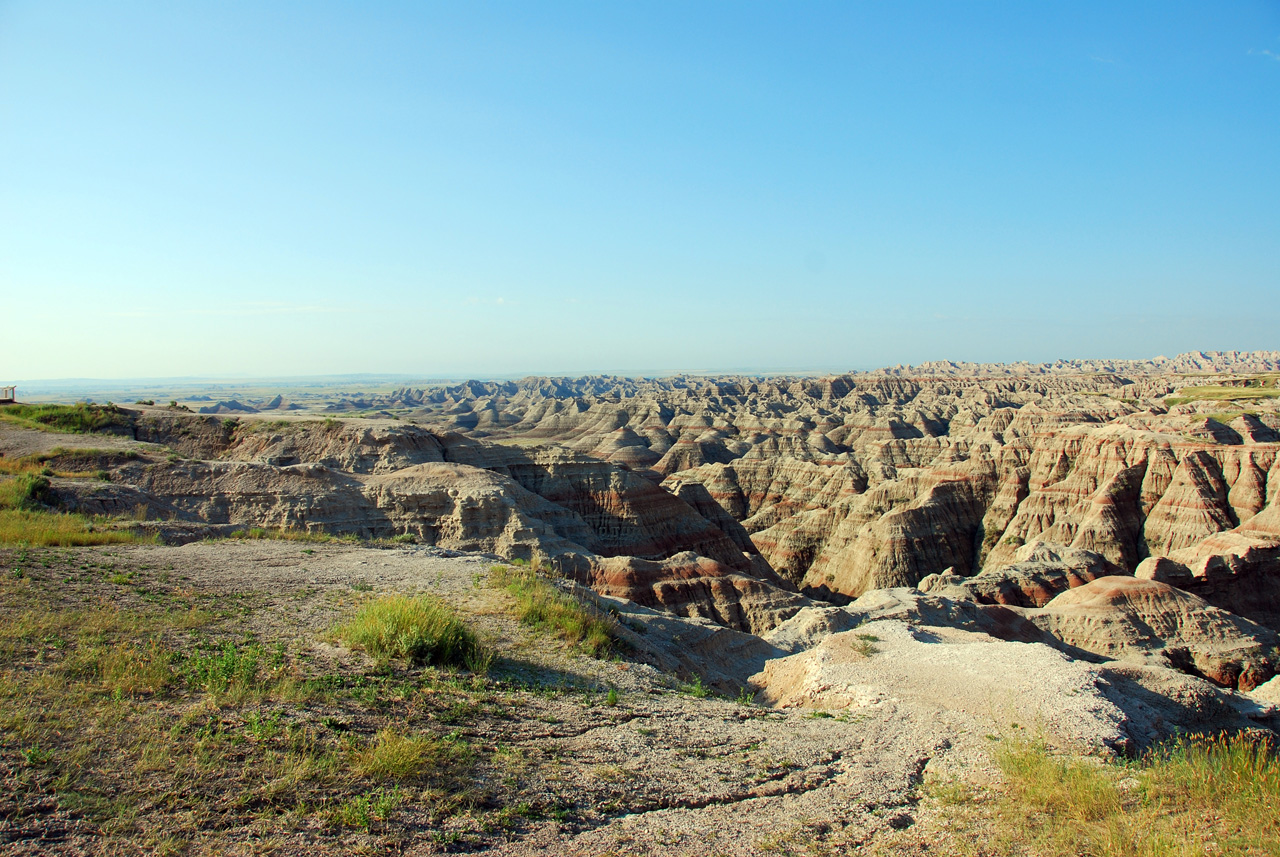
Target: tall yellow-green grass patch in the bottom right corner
{"points": [[1192, 798]]}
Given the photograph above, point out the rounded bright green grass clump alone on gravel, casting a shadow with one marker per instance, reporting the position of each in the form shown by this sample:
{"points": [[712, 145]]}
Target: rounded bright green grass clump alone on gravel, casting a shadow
{"points": [[419, 630]]}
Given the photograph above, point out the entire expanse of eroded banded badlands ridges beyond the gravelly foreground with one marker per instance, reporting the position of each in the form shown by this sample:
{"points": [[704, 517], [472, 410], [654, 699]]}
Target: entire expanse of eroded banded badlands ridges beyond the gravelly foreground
{"points": [[1014, 497]]}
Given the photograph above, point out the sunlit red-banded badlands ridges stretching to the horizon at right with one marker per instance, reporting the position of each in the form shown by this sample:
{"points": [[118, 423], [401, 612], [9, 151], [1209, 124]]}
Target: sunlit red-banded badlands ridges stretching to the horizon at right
{"points": [[863, 482]]}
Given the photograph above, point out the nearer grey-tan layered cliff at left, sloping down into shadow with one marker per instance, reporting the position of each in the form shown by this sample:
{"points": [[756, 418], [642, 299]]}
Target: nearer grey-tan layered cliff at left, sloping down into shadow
{"points": [[600, 524]]}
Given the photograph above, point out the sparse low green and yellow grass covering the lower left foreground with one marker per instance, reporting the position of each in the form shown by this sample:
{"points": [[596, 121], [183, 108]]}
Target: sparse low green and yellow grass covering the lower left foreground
{"points": [[138, 721]]}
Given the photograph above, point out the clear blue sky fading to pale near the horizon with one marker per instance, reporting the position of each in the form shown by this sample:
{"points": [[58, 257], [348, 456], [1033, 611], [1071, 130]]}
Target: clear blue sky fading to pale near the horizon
{"points": [[481, 189]]}
